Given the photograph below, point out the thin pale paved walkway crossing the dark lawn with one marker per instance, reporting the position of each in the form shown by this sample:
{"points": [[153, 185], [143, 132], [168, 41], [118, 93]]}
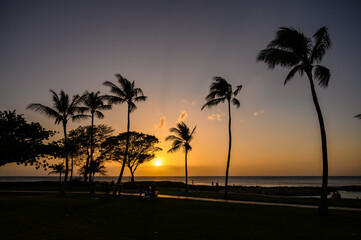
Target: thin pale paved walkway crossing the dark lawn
{"points": [[210, 200]]}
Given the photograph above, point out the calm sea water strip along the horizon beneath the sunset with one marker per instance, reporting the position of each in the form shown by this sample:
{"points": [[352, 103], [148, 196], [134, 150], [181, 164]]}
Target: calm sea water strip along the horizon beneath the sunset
{"points": [[238, 181]]}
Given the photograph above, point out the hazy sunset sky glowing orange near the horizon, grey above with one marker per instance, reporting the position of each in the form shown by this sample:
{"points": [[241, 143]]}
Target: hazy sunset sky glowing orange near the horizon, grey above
{"points": [[172, 49]]}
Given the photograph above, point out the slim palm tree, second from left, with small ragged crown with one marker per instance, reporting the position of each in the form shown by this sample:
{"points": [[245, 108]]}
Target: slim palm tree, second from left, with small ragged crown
{"points": [[94, 104]]}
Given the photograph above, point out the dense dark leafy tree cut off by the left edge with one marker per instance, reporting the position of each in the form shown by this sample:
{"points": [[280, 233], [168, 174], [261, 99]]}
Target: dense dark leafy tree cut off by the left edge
{"points": [[16, 134]]}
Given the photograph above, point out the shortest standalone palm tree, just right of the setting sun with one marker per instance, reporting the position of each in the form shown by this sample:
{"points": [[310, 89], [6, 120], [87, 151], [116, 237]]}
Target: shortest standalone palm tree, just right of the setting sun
{"points": [[182, 138]]}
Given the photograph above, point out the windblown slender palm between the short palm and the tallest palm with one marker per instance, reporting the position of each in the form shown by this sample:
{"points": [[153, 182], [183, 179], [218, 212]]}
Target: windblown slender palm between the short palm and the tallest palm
{"points": [[220, 91]]}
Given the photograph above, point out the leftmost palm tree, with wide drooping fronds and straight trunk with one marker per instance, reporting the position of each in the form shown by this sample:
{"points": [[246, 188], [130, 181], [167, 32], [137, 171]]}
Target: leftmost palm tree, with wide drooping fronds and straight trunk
{"points": [[63, 110]]}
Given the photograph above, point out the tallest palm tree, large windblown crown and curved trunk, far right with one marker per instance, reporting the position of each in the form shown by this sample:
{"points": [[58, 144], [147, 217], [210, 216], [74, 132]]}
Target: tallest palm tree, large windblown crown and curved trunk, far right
{"points": [[292, 49]]}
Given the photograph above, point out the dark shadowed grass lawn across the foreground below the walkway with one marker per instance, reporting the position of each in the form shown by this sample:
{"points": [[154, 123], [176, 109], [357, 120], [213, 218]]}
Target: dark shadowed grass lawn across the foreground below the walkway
{"points": [[76, 216]]}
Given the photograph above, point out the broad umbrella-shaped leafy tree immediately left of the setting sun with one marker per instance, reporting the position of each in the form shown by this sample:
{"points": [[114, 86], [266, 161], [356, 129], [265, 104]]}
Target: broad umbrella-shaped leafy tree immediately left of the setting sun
{"points": [[141, 149]]}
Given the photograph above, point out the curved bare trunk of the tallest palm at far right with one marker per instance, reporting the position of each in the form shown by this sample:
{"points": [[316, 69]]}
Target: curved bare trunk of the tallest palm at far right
{"points": [[323, 203]]}
